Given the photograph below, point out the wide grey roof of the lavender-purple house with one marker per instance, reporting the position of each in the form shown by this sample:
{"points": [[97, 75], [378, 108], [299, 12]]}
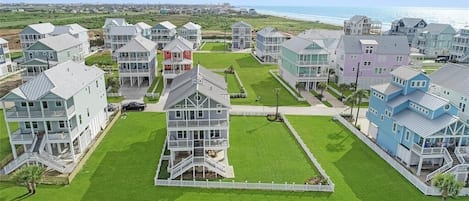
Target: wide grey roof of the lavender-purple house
{"points": [[386, 44]]}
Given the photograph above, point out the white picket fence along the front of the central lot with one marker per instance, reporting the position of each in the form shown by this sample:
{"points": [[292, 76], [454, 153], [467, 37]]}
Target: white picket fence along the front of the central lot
{"points": [[244, 185]]}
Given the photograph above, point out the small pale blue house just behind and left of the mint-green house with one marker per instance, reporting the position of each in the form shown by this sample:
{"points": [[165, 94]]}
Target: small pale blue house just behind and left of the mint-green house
{"points": [[268, 43]]}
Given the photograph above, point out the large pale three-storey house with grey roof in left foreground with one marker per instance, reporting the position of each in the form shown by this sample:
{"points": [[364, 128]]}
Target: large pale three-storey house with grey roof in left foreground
{"points": [[59, 113]]}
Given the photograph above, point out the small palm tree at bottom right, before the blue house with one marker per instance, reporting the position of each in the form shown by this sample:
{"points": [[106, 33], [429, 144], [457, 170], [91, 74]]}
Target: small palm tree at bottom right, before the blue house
{"points": [[447, 184]]}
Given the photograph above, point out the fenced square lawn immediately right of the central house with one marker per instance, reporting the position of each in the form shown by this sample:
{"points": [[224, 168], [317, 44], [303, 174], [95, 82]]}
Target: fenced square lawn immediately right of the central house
{"points": [[265, 151]]}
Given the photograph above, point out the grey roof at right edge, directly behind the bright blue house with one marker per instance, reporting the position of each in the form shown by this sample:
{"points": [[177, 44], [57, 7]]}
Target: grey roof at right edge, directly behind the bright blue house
{"points": [[452, 76]]}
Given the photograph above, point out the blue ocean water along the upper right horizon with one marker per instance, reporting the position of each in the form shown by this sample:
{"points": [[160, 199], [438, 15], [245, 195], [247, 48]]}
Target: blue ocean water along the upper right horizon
{"points": [[457, 17]]}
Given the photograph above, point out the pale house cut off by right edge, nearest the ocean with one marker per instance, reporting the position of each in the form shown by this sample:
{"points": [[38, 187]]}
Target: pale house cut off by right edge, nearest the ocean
{"points": [[459, 50]]}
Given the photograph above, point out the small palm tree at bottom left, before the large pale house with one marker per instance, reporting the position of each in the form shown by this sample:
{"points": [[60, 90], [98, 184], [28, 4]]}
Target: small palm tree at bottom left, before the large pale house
{"points": [[28, 176]]}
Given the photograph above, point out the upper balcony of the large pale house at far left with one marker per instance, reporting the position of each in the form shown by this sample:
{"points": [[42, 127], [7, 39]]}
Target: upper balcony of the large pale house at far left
{"points": [[13, 113]]}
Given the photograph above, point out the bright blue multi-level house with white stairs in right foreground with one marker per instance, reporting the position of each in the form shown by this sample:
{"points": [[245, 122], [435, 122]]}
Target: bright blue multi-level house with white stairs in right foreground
{"points": [[418, 128]]}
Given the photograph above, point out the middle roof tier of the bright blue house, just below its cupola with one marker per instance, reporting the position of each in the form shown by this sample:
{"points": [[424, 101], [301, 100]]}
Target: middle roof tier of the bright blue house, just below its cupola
{"points": [[427, 100]]}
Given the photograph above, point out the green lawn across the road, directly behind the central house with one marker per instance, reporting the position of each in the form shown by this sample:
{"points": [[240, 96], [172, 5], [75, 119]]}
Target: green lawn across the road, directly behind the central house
{"points": [[255, 77]]}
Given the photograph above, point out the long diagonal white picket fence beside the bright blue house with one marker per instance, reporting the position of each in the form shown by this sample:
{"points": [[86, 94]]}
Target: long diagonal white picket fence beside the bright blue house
{"points": [[419, 184]]}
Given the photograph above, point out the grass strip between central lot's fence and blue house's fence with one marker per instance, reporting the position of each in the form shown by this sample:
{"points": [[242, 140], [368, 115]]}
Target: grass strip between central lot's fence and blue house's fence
{"points": [[357, 172]]}
